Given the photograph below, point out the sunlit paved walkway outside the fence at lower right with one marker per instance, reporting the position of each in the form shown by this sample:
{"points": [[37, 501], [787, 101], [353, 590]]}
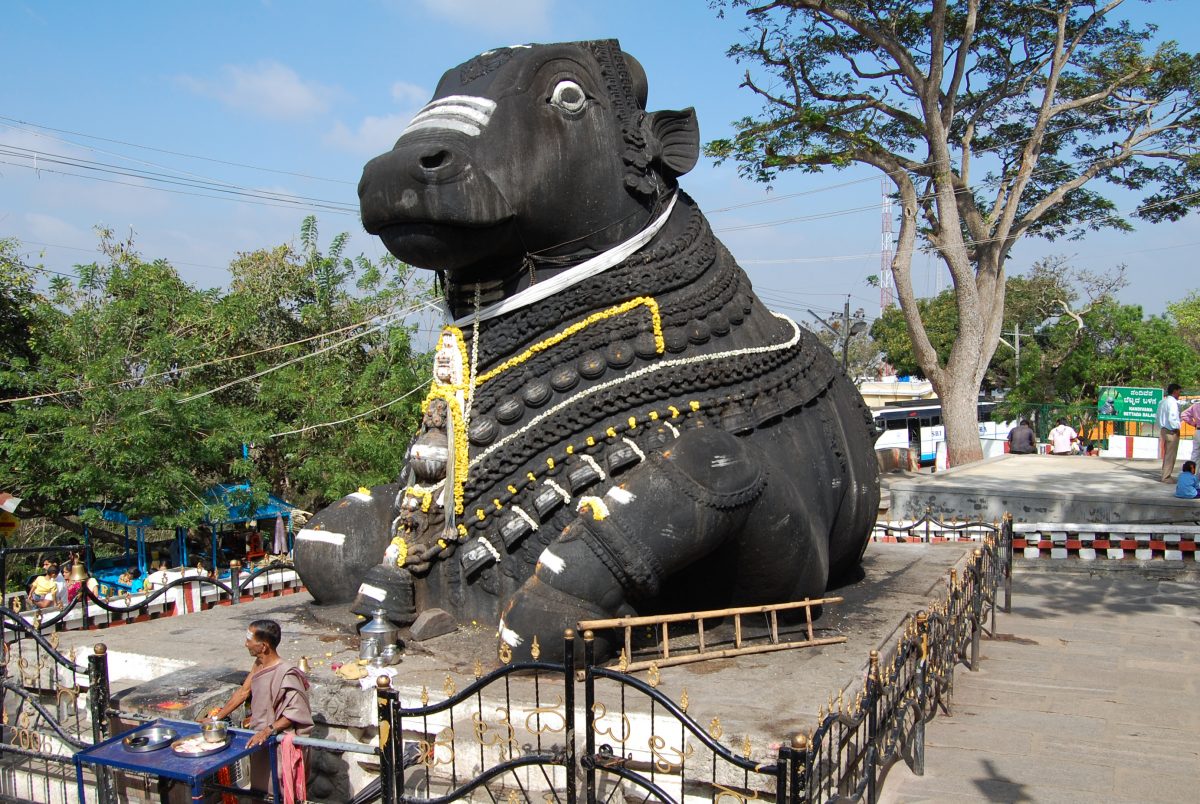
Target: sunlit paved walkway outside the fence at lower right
{"points": [[1090, 694]]}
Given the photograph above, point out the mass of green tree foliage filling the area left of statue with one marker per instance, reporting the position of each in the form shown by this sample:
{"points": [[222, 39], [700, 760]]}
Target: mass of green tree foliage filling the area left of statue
{"points": [[151, 387]]}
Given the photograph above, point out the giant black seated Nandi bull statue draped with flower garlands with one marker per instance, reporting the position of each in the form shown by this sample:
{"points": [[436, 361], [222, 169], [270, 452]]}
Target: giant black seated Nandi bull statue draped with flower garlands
{"points": [[616, 424]]}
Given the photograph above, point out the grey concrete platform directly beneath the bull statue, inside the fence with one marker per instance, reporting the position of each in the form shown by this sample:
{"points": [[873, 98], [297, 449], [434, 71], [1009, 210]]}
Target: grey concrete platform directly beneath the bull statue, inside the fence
{"points": [[179, 668]]}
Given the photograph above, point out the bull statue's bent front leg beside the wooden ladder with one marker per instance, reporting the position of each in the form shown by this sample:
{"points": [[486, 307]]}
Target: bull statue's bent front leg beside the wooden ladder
{"points": [[685, 503]]}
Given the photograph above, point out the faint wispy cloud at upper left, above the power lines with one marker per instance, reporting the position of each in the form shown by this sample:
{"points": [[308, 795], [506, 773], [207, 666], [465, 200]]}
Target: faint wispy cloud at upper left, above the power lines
{"points": [[268, 89]]}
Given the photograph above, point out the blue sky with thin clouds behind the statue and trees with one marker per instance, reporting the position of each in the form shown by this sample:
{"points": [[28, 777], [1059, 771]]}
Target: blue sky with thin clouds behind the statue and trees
{"points": [[301, 94]]}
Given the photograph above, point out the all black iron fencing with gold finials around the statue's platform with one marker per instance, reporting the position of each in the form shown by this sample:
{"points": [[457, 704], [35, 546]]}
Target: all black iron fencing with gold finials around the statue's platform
{"points": [[512, 735]]}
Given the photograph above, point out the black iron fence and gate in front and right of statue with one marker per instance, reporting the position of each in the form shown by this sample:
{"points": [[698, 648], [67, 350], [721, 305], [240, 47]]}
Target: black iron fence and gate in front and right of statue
{"points": [[639, 745]]}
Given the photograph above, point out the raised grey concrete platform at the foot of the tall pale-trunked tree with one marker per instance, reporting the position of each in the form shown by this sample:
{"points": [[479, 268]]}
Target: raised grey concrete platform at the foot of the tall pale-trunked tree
{"points": [[1045, 489]]}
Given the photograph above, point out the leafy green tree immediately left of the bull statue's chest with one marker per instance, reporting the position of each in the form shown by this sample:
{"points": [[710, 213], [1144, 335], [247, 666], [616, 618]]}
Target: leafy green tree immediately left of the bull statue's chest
{"points": [[283, 296]]}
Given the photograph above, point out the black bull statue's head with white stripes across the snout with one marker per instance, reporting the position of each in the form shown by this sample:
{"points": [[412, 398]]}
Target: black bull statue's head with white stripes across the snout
{"points": [[529, 158]]}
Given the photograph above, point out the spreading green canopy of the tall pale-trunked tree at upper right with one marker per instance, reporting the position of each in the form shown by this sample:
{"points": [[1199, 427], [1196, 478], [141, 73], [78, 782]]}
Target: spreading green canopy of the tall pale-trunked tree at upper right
{"points": [[835, 80]]}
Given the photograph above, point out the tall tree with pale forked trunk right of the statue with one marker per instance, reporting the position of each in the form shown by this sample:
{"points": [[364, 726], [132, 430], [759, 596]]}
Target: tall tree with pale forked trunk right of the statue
{"points": [[1046, 99]]}
